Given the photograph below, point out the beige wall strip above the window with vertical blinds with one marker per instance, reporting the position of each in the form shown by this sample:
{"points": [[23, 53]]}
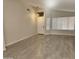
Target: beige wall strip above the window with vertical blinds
{"points": [[57, 13]]}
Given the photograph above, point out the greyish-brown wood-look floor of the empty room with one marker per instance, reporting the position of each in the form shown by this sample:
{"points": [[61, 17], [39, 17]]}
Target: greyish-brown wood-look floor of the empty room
{"points": [[43, 47]]}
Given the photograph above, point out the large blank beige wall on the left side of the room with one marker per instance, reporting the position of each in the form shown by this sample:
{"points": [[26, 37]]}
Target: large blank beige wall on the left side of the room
{"points": [[17, 22]]}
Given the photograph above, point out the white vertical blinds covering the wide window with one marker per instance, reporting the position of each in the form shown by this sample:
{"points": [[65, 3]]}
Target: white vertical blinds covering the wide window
{"points": [[61, 23]]}
